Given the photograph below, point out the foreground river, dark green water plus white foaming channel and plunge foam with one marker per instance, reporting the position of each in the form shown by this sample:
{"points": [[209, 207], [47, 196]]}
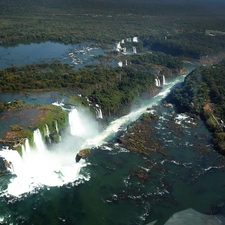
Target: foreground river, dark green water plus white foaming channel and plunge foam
{"points": [[104, 189]]}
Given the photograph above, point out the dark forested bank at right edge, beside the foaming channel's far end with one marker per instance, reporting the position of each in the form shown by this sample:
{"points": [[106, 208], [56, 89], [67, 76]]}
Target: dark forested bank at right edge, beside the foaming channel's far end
{"points": [[203, 94]]}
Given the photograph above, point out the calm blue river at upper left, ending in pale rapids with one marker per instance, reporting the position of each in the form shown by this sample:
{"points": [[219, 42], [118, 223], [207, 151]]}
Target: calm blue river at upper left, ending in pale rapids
{"points": [[78, 55]]}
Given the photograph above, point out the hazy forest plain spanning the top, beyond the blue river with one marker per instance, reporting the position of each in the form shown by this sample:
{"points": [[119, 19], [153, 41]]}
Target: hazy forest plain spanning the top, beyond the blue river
{"points": [[177, 29]]}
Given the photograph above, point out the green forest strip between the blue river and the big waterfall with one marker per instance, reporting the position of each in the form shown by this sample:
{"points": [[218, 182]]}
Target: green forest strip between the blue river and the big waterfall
{"points": [[112, 88]]}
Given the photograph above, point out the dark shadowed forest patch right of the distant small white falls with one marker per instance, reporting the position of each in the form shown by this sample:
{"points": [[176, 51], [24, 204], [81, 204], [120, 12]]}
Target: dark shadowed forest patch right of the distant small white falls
{"points": [[192, 45]]}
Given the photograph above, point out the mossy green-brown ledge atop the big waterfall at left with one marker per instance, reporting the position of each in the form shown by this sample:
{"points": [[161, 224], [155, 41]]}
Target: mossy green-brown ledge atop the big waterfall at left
{"points": [[47, 115]]}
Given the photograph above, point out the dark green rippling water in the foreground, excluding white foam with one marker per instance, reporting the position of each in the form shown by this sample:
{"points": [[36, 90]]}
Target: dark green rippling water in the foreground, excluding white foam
{"points": [[189, 176]]}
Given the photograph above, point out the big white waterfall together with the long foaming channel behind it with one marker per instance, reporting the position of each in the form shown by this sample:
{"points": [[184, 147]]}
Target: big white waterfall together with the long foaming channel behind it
{"points": [[40, 166]]}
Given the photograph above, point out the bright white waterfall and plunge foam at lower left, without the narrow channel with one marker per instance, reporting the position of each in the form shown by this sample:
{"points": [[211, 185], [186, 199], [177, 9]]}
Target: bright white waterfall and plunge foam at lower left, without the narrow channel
{"points": [[39, 166]]}
